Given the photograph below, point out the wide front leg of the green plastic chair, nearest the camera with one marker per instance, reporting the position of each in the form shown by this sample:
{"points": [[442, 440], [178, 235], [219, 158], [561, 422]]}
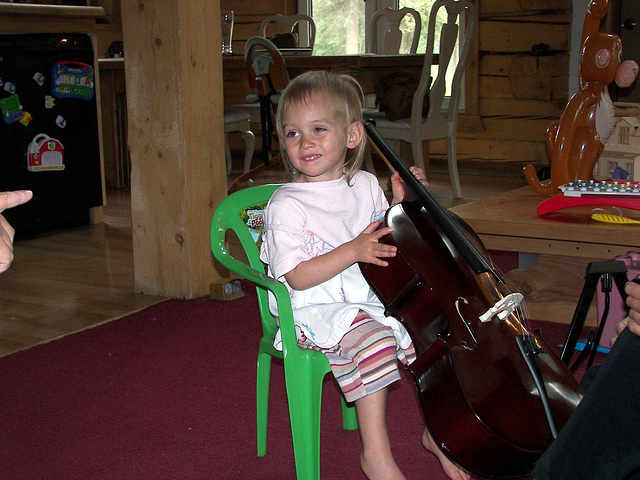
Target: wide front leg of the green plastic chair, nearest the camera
{"points": [[304, 415]]}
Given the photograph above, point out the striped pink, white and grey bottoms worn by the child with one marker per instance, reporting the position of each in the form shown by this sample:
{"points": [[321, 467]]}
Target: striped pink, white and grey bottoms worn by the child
{"points": [[366, 359]]}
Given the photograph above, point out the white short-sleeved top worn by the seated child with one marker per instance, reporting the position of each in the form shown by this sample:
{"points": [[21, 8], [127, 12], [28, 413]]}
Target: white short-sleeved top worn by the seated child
{"points": [[304, 220]]}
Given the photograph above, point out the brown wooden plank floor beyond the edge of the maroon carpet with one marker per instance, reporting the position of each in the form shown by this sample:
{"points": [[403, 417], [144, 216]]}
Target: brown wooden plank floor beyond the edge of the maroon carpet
{"points": [[73, 279]]}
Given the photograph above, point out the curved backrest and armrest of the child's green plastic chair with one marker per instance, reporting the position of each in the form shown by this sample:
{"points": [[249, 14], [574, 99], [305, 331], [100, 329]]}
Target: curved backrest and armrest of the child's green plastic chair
{"points": [[241, 213]]}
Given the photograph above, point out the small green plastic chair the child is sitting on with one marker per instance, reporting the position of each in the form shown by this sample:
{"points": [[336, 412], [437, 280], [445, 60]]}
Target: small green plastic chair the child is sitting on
{"points": [[304, 370]]}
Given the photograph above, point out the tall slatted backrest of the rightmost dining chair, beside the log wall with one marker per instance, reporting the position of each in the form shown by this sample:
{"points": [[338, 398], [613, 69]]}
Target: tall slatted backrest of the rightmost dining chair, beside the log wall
{"points": [[460, 14]]}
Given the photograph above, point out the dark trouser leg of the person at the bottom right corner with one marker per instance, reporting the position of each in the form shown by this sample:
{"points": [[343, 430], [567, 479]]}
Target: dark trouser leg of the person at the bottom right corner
{"points": [[601, 440]]}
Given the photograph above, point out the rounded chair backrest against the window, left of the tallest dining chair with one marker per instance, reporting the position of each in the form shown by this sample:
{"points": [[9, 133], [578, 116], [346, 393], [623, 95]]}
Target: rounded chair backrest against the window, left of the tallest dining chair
{"points": [[392, 37]]}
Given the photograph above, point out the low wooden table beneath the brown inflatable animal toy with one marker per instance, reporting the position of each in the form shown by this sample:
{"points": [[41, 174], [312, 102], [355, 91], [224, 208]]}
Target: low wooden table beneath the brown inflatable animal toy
{"points": [[555, 249]]}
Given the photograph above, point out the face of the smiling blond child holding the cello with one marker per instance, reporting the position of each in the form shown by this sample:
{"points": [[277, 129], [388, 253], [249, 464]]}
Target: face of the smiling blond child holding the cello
{"points": [[316, 140]]}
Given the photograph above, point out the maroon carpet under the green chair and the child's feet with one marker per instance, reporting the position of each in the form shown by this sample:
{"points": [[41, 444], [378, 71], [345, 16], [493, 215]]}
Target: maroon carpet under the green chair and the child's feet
{"points": [[168, 393]]}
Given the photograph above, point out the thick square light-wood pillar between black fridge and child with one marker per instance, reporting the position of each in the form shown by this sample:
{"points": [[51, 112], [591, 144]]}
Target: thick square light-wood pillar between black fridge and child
{"points": [[173, 71]]}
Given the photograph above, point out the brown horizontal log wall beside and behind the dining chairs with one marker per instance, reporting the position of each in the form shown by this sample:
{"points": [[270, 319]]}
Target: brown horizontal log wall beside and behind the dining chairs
{"points": [[519, 94]]}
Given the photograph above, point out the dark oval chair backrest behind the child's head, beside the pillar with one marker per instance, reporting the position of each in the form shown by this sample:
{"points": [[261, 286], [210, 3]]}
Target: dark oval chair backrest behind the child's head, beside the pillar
{"points": [[266, 68]]}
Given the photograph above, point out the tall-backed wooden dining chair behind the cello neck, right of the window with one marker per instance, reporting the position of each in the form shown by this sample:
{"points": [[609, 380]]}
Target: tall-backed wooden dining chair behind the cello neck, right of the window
{"points": [[442, 118]]}
